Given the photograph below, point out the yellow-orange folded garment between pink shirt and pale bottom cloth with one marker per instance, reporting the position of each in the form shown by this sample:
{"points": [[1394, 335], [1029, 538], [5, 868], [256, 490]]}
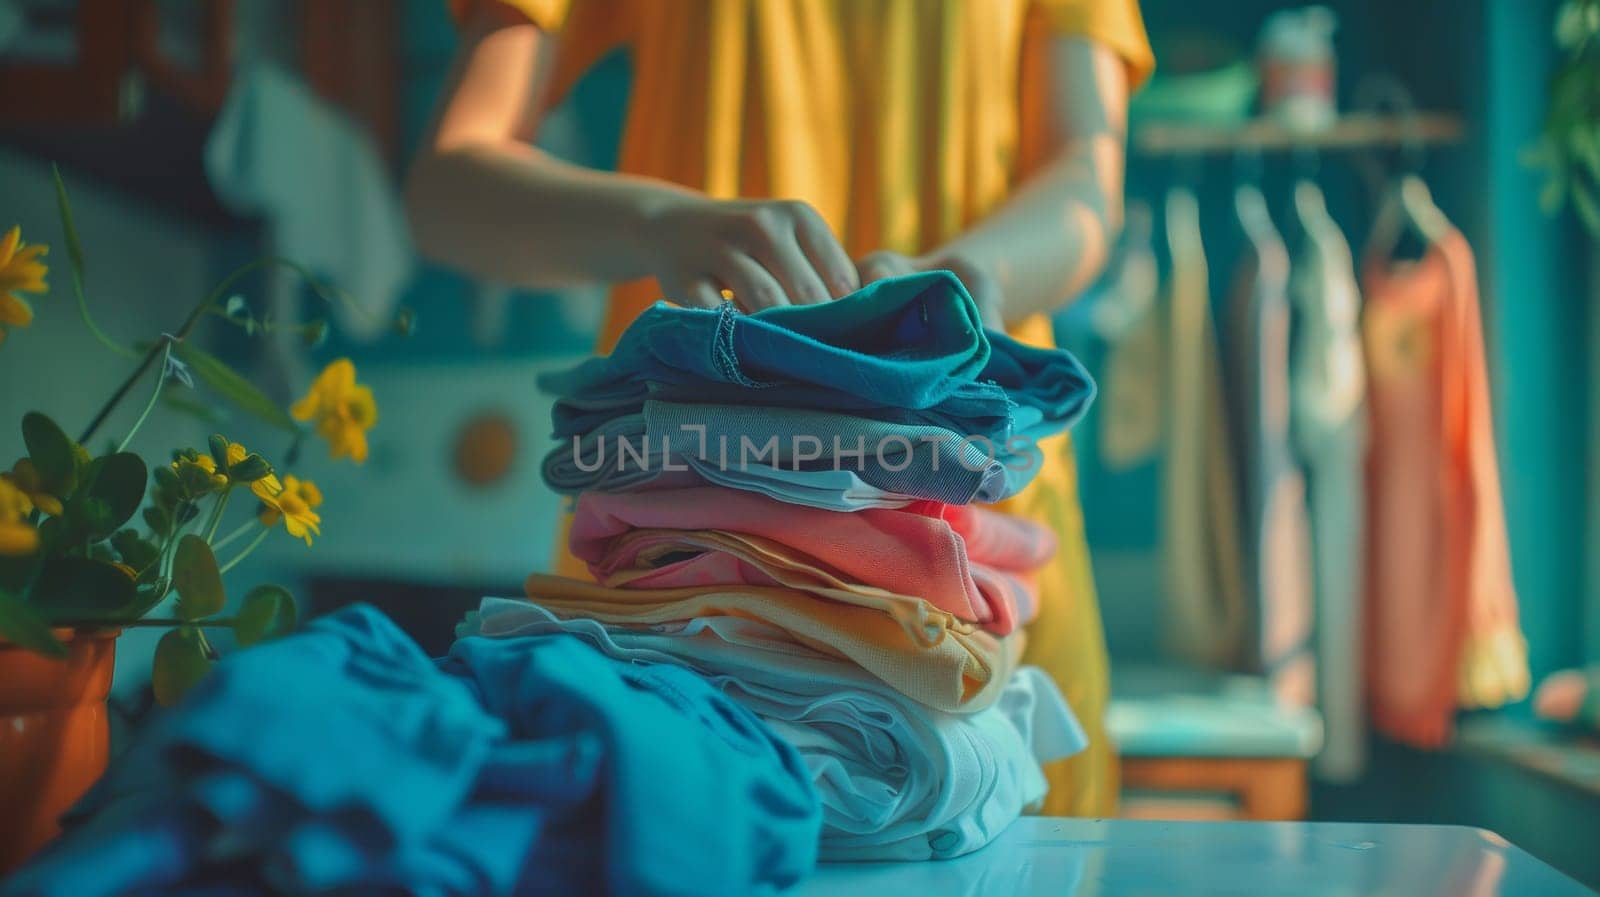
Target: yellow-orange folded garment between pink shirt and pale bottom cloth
{"points": [[962, 674]]}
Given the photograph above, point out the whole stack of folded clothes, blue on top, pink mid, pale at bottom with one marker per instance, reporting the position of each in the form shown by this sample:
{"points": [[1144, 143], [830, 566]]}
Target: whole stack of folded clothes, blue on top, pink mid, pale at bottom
{"points": [[783, 503]]}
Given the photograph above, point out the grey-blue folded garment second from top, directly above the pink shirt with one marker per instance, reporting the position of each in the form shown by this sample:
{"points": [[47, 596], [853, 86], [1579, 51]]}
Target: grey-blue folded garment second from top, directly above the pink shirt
{"points": [[769, 450]]}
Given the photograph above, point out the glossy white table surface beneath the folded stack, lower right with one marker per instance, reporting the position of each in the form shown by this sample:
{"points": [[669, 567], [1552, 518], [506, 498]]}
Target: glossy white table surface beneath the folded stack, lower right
{"points": [[1081, 858]]}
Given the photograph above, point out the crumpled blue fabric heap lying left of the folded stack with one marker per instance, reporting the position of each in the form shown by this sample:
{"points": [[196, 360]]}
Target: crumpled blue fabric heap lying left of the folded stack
{"points": [[343, 760]]}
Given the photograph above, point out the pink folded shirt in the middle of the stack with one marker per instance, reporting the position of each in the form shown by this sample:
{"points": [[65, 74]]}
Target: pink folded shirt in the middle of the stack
{"points": [[967, 562]]}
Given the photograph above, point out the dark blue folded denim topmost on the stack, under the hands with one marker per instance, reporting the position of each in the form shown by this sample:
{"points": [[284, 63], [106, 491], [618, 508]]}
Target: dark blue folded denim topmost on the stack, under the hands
{"points": [[906, 351]]}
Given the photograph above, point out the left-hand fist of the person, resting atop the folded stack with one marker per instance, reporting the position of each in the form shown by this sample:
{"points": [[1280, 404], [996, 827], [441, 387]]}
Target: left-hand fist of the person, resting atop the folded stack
{"points": [[766, 252]]}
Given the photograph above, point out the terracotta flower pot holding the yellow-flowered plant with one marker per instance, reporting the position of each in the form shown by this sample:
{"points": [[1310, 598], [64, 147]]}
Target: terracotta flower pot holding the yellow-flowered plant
{"points": [[55, 738]]}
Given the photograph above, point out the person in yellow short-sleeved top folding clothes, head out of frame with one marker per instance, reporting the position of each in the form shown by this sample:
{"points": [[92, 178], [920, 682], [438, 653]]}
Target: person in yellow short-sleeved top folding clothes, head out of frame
{"points": [[788, 153]]}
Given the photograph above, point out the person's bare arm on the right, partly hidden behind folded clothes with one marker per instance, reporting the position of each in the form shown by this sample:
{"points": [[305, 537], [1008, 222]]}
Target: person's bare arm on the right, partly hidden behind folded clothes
{"points": [[1054, 236]]}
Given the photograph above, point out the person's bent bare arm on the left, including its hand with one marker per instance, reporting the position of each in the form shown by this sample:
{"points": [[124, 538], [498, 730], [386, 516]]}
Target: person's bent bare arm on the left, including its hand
{"points": [[484, 201]]}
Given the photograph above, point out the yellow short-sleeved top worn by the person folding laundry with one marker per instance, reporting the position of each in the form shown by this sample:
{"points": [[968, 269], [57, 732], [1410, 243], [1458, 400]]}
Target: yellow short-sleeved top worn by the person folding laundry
{"points": [[902, 122]]}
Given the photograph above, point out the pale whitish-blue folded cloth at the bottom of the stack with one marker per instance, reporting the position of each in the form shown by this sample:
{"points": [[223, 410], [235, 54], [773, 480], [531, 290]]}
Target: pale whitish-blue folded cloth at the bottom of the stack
{"points": [[898, 779]]}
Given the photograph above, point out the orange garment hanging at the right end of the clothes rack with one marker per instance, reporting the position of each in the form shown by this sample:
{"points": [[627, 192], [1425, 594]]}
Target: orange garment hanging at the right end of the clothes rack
{"points": [[1441, 607]]}
